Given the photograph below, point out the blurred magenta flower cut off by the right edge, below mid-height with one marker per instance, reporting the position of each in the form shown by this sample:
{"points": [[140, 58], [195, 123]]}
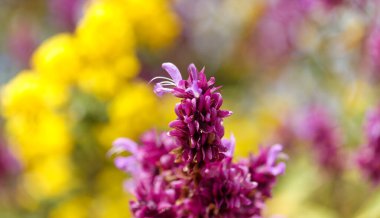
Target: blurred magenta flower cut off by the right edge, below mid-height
{"points": [[368, 158]]}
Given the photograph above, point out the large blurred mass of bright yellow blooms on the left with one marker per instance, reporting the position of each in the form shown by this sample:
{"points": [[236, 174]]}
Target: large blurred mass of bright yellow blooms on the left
{"points": [[80, 91]]}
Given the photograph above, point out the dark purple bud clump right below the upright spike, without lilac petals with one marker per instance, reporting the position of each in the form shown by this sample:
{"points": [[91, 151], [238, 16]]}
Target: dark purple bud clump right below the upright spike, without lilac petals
{"points": [[226, 190]]}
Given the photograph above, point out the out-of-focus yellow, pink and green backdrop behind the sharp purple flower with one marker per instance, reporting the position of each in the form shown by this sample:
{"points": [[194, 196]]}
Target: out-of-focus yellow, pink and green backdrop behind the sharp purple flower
{"points": [[74, 76]]}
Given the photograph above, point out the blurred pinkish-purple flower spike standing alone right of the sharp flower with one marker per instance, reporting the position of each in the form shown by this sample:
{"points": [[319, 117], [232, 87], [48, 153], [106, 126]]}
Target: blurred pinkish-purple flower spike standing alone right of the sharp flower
{"points": [[318, 128]]}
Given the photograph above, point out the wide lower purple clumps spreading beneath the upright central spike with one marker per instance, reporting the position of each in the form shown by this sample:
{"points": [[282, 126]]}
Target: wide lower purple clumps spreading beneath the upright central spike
{"points": [[218, 189]]}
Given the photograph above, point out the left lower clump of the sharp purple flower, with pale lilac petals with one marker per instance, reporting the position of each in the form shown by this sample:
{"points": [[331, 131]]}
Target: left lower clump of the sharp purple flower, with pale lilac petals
{"points": [[154, 174]]}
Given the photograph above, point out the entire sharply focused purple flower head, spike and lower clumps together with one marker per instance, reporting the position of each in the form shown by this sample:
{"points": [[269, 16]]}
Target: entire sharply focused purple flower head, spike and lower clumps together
{"points": [[189, 172]]}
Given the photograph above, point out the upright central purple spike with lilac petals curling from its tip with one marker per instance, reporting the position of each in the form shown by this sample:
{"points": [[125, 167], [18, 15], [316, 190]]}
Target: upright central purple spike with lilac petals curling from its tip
{"points": [[198, 127]]}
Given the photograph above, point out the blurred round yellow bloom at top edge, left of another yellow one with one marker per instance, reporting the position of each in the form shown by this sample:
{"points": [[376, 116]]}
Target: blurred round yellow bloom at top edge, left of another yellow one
{"points": [[104, 32]]}
